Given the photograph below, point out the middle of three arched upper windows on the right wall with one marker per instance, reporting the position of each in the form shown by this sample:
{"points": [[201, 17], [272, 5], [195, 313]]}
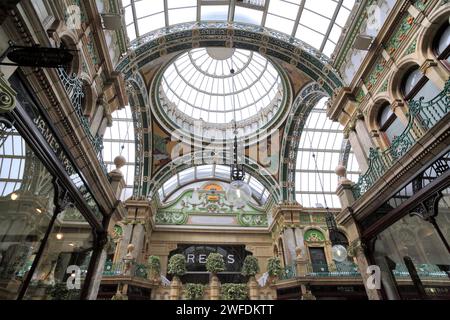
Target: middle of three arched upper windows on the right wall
{"points": [[416, 85]]}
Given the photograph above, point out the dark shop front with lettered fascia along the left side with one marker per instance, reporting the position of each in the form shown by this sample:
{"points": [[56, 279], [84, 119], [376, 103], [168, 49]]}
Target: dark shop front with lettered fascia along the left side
{"points": [[51, 227]]}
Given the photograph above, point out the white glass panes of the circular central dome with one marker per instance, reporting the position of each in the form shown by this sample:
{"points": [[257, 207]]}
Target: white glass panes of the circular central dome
{"points": [[201, 85]]}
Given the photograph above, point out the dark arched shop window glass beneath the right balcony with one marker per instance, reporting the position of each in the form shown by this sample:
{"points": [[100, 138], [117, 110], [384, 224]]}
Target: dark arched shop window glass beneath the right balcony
{"points": [[417, 240]]}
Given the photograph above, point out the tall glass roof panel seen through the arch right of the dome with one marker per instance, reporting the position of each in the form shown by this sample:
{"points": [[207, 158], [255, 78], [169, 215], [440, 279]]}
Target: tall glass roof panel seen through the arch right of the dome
{"points": [[324, 139]]}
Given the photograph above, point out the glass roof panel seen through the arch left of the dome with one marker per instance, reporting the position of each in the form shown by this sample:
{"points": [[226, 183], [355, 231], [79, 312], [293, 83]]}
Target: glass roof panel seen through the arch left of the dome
{"points": [[119, 140]]}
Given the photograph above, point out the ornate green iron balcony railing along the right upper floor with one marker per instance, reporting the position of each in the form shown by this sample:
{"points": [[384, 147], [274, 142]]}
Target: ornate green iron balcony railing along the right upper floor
{"points": [[421, 118]]}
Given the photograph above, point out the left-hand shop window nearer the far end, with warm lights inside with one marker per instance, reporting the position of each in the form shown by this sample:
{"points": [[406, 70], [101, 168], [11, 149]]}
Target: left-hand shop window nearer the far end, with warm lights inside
{"points": [[63, 266]]}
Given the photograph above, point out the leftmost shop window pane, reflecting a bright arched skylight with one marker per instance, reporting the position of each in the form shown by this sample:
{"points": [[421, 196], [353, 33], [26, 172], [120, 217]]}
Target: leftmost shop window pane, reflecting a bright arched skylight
{"points": [[26, 208]]}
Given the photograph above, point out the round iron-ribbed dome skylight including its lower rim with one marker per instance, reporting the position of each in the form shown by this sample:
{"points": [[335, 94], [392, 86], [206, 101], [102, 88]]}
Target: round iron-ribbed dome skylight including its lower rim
{"points": [[198, 89]]}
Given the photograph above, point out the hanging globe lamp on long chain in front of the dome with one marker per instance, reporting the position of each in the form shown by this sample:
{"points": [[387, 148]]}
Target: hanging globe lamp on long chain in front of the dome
{"points": [[239, 192]]}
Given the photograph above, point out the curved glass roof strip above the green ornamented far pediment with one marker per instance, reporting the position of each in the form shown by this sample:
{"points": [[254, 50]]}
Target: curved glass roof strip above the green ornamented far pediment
{"points": [[189, 179]]}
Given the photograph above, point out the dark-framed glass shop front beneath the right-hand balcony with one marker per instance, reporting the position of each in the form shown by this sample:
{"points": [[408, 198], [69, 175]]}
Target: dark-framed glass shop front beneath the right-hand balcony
{"points": [[409, 236]]}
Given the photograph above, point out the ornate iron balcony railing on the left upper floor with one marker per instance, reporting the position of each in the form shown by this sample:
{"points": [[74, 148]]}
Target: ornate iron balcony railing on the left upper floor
{"points": [[74, 89]]}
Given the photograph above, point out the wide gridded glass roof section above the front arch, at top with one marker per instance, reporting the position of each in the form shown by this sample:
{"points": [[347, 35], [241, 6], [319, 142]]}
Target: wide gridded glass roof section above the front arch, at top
{"points": [[319, 23]]}
